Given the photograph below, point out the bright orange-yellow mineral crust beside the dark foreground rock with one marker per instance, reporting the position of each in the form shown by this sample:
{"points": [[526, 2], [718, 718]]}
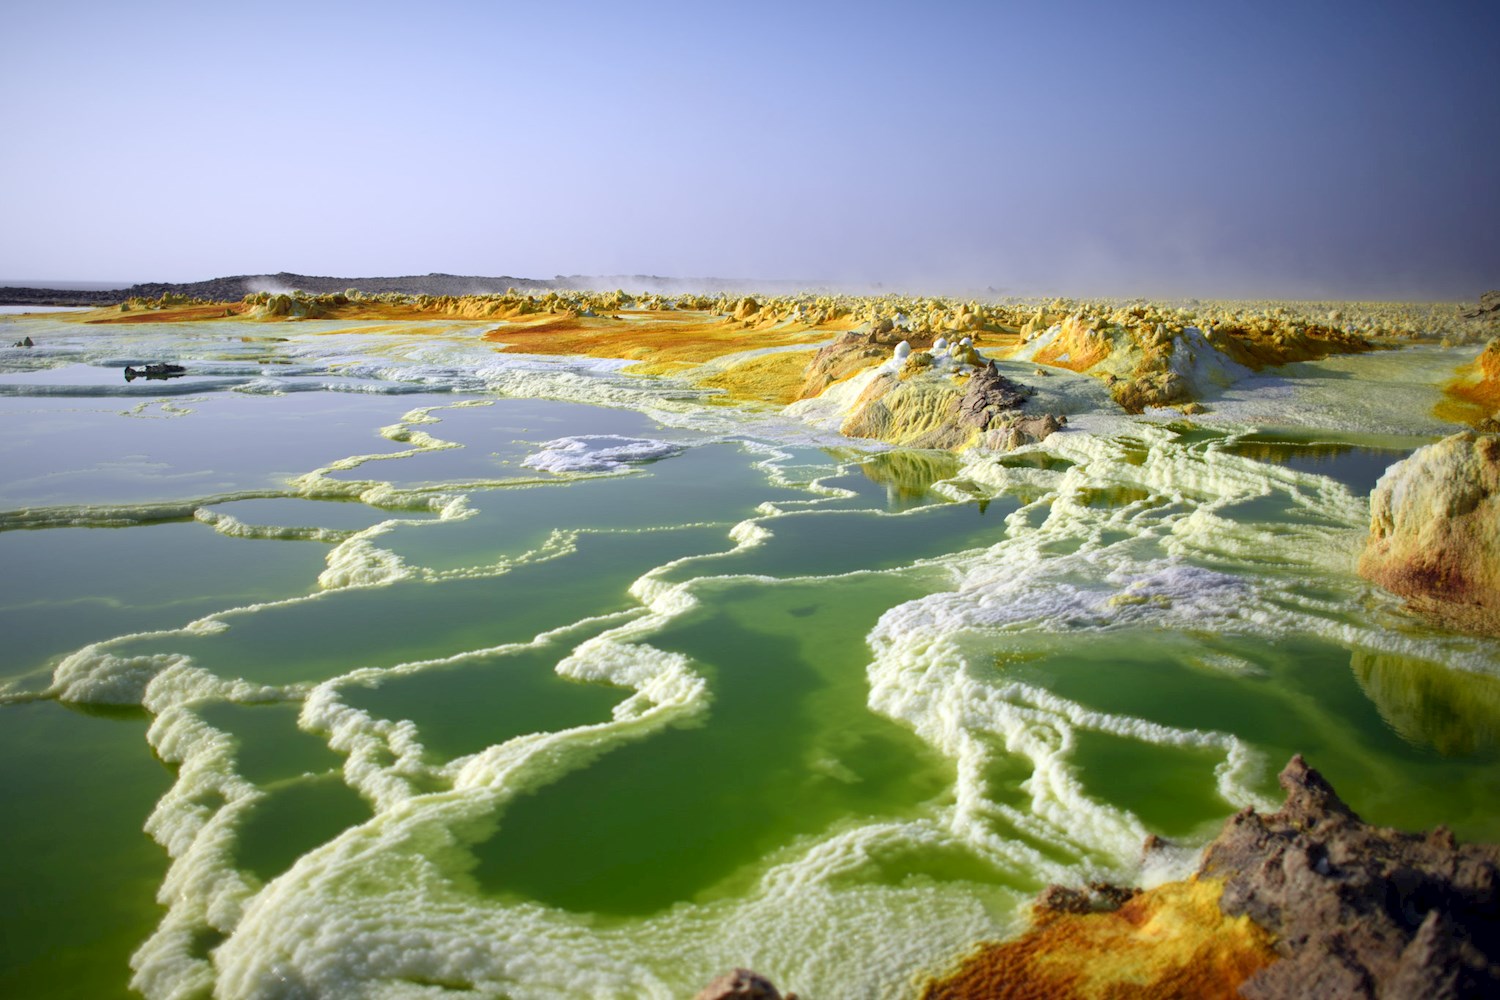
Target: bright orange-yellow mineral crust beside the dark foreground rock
{"points": [[1168, 942]]}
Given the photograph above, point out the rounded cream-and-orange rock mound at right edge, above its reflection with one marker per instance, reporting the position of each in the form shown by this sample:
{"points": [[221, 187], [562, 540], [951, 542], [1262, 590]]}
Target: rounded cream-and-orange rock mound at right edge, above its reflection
{"points": [[1435, 531]]}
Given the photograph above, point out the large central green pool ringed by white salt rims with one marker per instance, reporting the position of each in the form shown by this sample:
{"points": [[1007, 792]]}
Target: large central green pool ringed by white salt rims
{"points": [[788, 750]]}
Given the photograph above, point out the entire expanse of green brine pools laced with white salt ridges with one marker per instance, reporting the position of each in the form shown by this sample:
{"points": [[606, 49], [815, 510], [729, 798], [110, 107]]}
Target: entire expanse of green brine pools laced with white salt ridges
{"points": [[371, 663]]}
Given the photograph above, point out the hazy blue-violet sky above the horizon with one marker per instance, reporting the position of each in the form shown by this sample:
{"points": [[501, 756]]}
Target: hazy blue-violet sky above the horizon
{"points": [[1208, 149]]}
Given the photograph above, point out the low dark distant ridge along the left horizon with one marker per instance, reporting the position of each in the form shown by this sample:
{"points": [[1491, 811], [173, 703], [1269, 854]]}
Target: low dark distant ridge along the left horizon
{"points": [[236, 287]]}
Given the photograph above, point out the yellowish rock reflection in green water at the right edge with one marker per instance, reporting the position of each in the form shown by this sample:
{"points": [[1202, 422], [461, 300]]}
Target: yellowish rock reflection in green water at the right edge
{"points": [[1453, 711]]}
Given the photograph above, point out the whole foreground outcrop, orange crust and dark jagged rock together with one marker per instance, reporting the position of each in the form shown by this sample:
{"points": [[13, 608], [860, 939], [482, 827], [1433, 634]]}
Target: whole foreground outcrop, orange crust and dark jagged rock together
{"points": [[1307, 902]]}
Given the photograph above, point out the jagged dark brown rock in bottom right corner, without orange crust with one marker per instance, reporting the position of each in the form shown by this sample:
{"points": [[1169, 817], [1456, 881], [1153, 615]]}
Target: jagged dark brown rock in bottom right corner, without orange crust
{"points": [[1358, 911]]}
